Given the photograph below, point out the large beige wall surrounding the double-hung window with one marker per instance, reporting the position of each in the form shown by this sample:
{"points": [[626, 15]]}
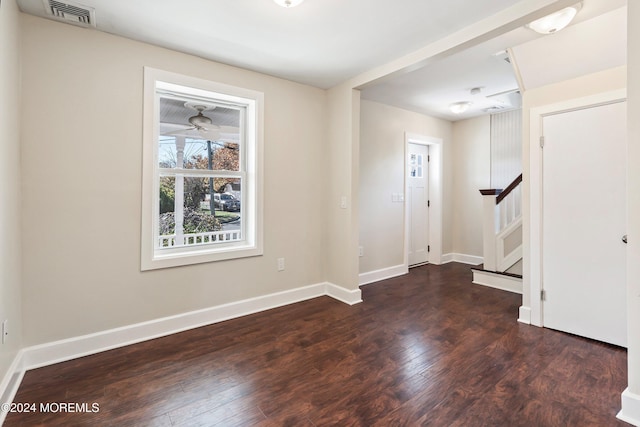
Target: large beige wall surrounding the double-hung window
{"points": [[81, 175]]}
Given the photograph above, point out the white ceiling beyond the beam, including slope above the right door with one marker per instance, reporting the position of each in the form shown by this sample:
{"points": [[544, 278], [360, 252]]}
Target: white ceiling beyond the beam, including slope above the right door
{"points": [[595, 41]]}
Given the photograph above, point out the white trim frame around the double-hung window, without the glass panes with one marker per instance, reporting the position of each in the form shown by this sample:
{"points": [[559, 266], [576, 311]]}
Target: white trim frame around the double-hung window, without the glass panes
{"points": [[252, 207]]}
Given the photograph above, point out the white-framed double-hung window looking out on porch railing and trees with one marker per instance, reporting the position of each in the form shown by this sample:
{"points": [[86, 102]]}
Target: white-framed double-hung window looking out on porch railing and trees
{"points": [[201, 171]]}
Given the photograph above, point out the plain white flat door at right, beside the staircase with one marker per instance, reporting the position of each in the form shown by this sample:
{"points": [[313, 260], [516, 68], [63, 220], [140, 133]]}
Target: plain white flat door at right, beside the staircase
{"points": [[583, 221]]}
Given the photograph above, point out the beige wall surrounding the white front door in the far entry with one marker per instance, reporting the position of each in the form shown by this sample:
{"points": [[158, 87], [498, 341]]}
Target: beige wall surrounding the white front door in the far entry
{"points": [[382, 144]]}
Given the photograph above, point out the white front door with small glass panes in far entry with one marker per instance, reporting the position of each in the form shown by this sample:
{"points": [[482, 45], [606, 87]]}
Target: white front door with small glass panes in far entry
{"points": [[417, 203]]}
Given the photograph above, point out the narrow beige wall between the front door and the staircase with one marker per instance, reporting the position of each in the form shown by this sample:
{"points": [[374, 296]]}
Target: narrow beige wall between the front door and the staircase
{"points": [[472, 172]]}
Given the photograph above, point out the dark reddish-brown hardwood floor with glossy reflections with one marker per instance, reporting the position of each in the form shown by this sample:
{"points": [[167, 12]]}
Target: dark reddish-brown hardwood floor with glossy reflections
{"points": [[429, 348]]}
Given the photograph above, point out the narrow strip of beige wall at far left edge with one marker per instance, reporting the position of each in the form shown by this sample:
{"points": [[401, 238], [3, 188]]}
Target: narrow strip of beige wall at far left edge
{"points": [[10, 247]]}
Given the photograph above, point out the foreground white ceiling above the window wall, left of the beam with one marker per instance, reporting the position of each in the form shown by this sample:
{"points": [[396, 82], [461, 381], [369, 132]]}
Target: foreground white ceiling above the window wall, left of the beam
{"points": [[320, 42]]}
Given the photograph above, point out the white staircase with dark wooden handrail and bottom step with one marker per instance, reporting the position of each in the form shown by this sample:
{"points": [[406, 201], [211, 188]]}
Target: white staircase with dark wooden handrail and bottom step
{"points": [[502, 238]]}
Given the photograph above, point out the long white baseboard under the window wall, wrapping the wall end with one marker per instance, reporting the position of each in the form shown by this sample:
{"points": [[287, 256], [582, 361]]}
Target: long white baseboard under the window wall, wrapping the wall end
{"points": [[63, 350]]}
